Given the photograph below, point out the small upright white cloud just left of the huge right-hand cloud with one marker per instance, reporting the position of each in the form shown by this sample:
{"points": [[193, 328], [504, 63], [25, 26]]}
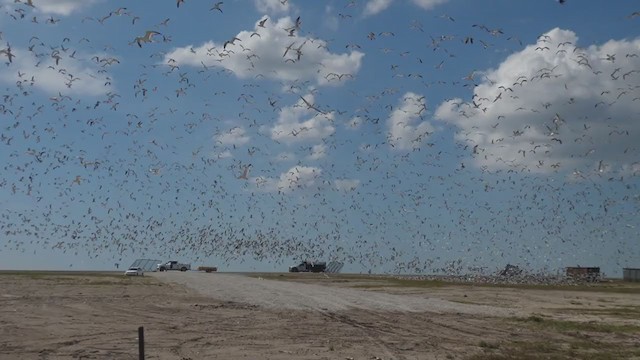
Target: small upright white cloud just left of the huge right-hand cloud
{"points": [[404, 133]]}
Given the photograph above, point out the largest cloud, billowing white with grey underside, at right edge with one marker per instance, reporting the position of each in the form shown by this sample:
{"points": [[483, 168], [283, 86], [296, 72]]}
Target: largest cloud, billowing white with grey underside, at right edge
{"points": [[554, 106]]}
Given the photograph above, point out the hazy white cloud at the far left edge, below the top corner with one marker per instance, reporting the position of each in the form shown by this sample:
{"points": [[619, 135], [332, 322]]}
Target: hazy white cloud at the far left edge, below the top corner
{"points": [[69, 77]]}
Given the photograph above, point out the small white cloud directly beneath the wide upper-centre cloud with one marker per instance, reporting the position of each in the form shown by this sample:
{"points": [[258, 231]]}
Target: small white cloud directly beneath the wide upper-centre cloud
{"points": [[298, 123]]}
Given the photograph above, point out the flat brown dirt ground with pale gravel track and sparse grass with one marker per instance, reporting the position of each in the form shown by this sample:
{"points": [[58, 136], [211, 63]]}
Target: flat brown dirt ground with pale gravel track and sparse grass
{"points": [[54, 315]]}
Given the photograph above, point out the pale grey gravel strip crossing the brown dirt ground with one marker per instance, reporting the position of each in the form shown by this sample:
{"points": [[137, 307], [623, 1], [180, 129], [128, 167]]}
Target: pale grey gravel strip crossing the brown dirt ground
{"points": [[285, 295]]}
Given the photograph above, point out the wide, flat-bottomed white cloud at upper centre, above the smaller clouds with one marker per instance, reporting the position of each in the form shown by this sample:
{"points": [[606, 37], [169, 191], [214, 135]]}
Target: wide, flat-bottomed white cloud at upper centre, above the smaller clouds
{"points": [[270, 52]]}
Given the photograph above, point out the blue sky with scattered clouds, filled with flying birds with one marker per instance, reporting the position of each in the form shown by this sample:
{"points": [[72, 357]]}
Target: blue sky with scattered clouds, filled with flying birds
{"points": [[410, 136]]}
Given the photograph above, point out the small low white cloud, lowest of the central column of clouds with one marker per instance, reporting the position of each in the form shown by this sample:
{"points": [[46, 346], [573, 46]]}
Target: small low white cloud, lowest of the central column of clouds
{"points": [[296, 178]]}
